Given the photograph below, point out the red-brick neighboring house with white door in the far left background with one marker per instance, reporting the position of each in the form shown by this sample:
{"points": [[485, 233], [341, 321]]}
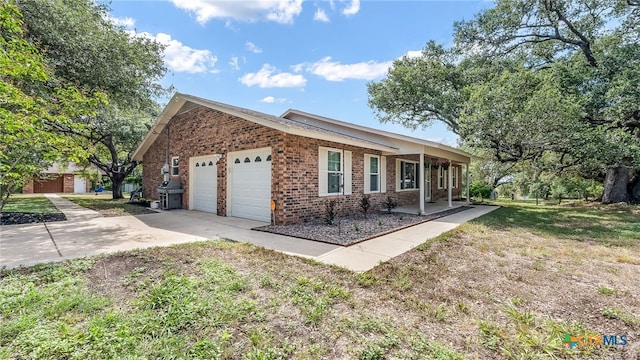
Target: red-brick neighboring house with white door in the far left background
{"points": [[59, 180]]}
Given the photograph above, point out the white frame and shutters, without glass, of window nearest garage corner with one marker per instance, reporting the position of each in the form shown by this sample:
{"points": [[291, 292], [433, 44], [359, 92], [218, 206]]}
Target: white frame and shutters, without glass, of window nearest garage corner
{"points": [[323, 171]]}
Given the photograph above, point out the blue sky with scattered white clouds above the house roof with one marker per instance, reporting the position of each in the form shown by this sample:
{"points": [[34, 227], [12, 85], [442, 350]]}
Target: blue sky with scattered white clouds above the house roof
{"points": [[272, 55]]}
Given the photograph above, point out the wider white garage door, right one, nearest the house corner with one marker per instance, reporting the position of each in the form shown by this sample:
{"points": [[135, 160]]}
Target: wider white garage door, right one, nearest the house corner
{"points": [[251, 184]]}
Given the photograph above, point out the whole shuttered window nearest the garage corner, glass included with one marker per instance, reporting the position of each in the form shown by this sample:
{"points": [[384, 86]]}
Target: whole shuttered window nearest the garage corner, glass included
{"points": [[334, 171]]}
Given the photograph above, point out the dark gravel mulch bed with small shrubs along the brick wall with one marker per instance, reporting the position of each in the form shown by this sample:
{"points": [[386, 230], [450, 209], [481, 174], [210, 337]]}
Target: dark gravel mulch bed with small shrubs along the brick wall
{"points": [[354, 229]]}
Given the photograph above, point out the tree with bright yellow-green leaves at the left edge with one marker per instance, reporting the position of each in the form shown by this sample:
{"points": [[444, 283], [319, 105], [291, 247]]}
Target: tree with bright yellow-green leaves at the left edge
{"points": [[28, 101]]}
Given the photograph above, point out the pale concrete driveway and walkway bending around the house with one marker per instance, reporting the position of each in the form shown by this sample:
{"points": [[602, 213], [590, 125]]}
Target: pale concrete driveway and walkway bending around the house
{"points": [[87, 233]]}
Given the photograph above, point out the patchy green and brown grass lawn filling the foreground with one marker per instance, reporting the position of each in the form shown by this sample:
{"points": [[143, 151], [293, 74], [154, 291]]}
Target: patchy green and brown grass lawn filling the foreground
{"points": [[509, 285]]}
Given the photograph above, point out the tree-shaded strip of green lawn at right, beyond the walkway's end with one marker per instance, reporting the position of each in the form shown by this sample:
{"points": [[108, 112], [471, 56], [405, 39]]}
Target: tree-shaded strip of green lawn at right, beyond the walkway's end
{"points": [[613, 227]]}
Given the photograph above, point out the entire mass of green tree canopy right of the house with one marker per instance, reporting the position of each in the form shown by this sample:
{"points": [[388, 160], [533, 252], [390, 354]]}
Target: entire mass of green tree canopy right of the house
{"points": [[549, 83]]}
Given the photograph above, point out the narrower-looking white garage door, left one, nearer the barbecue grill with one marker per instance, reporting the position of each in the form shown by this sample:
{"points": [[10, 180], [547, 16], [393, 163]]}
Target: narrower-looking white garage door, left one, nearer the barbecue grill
{"points": [[204, 185]]}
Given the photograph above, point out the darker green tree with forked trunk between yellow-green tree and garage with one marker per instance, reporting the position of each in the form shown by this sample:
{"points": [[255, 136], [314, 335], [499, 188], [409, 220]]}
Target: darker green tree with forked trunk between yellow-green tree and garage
{"points": [[84, 47]]}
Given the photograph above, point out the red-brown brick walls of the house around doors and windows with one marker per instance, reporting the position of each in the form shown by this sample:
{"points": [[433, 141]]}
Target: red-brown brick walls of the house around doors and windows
{"points": [[294, 181]]}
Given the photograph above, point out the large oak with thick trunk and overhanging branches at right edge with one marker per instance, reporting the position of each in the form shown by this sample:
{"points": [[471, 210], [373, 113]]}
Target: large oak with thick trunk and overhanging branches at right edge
{"points": [[591, 39]]}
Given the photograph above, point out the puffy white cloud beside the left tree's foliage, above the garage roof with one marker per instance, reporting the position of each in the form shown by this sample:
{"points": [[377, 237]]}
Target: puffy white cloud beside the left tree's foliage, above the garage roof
{"points": [[182, 58]]}
